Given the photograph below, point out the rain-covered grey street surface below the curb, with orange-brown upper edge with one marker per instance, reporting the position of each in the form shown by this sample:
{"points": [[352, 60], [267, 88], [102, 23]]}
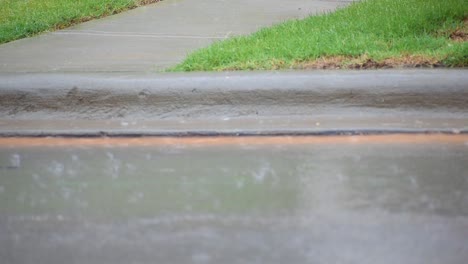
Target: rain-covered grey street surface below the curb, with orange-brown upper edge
{"points": [[329, 199]]}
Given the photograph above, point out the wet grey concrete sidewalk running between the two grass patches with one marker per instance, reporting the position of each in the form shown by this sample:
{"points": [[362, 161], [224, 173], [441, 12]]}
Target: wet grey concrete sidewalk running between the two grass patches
{"points": [[150, 38]]}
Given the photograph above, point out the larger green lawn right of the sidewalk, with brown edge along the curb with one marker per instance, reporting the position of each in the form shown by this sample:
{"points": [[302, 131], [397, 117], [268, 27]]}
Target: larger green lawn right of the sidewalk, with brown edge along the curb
{"points": [[366, 34]]}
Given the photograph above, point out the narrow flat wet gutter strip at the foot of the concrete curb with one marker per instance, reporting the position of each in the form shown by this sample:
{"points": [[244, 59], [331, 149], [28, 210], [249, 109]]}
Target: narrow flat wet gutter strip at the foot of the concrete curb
{"points": [[352, 121]]}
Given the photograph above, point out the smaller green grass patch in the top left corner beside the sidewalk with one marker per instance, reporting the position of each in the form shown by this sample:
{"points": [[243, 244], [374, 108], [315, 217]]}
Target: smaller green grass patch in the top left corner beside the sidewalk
{"points": [[25, 18]]}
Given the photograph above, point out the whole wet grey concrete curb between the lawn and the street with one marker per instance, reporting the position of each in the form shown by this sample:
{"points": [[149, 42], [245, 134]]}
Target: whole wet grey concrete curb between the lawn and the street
{"points": [[270, 103]]}
